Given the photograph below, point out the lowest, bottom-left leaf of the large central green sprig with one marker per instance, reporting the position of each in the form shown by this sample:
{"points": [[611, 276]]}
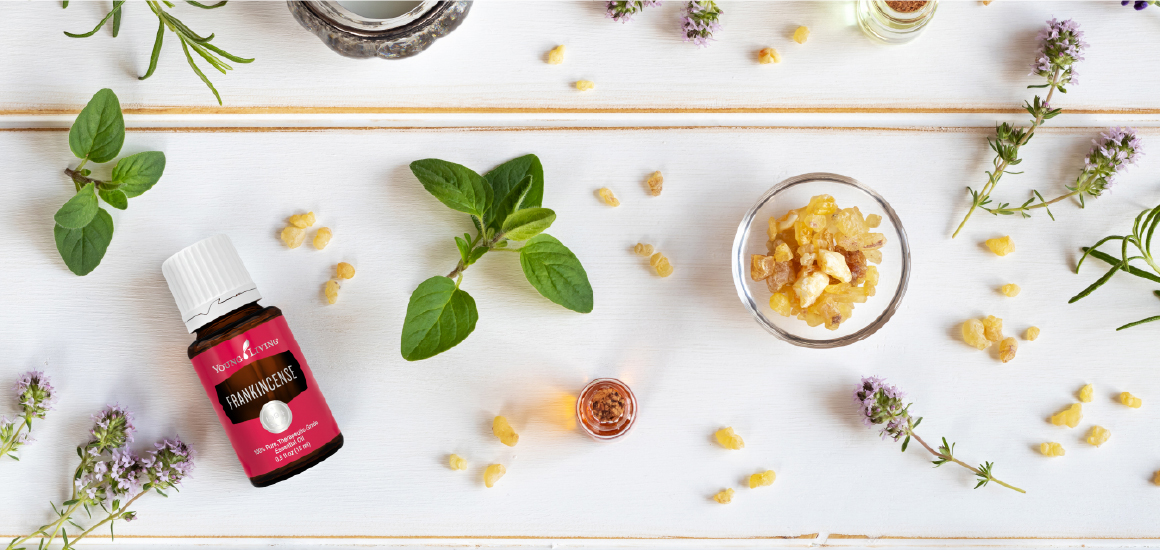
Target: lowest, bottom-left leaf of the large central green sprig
{"points": [[439, 317]]}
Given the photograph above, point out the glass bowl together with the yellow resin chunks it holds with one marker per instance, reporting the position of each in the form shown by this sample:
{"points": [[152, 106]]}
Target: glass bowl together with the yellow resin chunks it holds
{"points": [[853, 320]]}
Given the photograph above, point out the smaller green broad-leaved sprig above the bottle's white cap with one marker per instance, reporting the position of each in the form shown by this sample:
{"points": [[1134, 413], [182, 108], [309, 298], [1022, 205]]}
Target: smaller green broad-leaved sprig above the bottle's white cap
{"points": [[84, 230]]}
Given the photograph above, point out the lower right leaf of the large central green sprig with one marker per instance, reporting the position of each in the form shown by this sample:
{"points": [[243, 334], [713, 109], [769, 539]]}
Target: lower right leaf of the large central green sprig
{"points": [[556, 273]]}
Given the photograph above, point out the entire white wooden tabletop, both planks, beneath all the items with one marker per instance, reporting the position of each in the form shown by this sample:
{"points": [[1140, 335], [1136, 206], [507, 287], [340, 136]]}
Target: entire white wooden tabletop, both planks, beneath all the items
{"points": [[911, 122]]}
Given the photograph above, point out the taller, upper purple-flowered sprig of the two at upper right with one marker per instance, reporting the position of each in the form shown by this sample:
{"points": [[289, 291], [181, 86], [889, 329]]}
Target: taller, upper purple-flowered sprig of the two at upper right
{"points": [[1061, 47]]}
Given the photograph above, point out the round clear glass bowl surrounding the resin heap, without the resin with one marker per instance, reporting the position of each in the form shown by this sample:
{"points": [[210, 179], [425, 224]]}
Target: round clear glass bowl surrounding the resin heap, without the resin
{"points": [[895, 270]]}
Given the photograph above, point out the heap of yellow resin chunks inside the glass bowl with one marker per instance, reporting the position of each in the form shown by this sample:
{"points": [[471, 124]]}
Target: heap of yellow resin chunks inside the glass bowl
{"points": [[818, 264]]}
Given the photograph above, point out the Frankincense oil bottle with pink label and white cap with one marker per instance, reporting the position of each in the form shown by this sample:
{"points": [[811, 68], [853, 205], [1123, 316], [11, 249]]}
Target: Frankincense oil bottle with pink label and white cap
{"points": [[250, 365]]}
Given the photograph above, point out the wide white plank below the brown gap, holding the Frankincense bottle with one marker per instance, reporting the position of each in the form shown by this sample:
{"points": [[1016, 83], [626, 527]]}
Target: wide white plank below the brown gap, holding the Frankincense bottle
{"points": [[694, 357]]}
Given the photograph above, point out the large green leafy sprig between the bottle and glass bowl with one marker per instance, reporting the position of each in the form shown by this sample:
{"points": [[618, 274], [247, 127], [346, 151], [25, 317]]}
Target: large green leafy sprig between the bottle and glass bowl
{"points": [[505, 208]]}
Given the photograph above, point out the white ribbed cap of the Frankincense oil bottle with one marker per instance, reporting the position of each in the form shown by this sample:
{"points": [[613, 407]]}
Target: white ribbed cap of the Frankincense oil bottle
{"points": [[208, 281]]}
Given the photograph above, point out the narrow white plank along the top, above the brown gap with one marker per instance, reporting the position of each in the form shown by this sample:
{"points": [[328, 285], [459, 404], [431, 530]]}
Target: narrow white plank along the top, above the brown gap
{"points": [[973, 57]]}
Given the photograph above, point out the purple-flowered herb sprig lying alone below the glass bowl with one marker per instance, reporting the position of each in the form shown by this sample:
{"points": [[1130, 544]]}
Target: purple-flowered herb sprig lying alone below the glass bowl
{"points": [[881, 404]]}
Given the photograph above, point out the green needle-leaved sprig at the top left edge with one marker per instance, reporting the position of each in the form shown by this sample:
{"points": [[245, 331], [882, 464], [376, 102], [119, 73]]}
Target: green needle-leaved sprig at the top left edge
{"points": [[190, 40]]}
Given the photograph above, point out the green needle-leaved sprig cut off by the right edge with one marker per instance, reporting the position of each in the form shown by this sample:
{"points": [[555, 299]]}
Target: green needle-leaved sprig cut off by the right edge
{"points": [[1143, 230]]}
